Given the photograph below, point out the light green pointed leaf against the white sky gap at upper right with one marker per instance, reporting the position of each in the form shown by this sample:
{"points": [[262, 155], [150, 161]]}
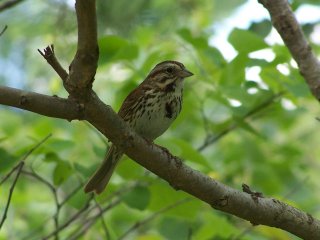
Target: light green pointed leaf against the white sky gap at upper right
{"points": [[245, 41]]}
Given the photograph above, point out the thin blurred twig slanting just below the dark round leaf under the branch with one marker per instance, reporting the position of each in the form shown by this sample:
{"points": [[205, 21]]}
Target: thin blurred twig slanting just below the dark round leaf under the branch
{"points": [[152, 216]]}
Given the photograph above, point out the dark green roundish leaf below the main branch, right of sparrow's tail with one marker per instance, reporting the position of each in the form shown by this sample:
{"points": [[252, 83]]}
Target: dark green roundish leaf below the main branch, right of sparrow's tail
{"points": [[138, 198]]}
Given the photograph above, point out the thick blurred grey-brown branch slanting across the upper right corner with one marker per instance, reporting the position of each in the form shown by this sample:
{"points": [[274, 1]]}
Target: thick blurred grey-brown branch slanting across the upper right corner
{"points": [[287, 25]]}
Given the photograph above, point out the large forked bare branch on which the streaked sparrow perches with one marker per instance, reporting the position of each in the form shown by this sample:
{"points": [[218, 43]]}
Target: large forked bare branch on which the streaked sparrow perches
{"points": [[255, 209]]}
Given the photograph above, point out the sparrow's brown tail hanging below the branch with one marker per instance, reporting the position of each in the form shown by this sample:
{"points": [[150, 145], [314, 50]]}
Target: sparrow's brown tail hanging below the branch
{"points": [[101, 177]]}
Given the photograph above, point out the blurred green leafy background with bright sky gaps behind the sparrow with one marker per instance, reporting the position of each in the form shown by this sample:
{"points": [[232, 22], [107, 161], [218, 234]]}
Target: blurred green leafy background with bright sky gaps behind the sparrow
{"points": [[248, 117]]}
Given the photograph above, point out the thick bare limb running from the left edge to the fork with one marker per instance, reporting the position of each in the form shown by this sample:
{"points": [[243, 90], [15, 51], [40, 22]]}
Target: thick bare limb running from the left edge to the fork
{"points": [[42, 104]]}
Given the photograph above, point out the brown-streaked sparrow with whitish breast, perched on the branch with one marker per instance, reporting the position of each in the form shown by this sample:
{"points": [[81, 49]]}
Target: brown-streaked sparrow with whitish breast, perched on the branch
{"points": [[149, 110]]}
